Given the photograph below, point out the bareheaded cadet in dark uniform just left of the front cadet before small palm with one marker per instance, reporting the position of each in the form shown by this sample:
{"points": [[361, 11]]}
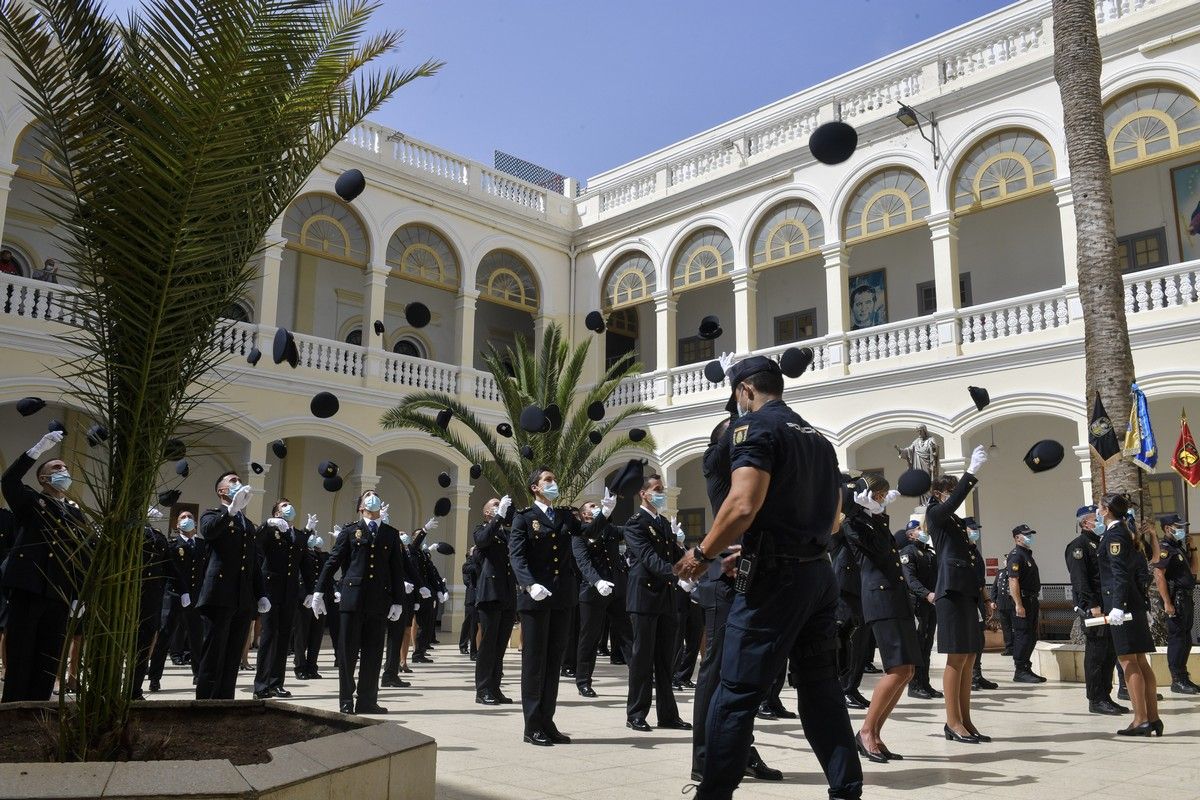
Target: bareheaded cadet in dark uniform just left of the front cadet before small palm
{"points": [[496, 600]]}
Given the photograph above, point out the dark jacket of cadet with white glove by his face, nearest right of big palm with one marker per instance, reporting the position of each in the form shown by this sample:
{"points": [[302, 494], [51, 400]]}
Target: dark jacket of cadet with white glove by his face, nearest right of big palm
{"points": [[233, 578]]}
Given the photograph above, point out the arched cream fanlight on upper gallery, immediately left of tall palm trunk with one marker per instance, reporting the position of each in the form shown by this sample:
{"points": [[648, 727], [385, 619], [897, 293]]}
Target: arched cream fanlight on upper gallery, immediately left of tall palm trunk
{"points": [[1001, 169]]}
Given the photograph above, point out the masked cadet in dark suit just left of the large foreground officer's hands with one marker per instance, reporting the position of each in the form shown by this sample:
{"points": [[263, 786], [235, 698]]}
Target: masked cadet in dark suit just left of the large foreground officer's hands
{"points": [[653, 543]]}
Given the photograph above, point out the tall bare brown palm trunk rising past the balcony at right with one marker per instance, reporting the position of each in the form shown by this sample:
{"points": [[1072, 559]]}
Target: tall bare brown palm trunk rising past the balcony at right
{"points": [[1108, 358]]}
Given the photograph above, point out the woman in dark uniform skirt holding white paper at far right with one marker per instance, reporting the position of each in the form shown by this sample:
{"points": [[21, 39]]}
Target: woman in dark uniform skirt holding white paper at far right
{"points": [[1126, 607]]}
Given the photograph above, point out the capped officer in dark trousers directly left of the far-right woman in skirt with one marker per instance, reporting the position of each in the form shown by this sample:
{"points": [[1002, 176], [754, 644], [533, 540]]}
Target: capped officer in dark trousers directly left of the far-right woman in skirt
{"points": [[1100, 658]]}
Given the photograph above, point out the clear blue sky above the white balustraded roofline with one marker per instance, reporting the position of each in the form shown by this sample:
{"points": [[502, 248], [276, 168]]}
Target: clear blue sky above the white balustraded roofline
{"points": [[585, 87]]}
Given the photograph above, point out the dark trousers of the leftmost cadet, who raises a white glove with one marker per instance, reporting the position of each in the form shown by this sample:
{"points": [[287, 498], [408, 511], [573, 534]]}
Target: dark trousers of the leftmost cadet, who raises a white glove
{"points": [[34, 636]]}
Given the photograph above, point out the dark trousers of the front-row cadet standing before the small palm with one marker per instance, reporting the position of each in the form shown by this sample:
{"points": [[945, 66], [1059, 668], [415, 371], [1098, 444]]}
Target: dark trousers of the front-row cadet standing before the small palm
{"points": [[543, 641]]}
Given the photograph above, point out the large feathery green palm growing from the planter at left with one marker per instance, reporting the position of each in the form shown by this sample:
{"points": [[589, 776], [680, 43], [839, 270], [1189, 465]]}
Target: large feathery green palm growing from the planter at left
{"points": [[176, 137]]}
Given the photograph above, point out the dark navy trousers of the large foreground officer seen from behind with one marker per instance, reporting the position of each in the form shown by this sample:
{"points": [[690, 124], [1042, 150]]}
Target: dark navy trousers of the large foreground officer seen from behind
{"points": [[789, 612]]}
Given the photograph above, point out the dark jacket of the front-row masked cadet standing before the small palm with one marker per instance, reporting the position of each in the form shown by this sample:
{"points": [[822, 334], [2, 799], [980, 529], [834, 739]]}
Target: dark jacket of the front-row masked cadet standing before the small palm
{"points": [[541, 552]]}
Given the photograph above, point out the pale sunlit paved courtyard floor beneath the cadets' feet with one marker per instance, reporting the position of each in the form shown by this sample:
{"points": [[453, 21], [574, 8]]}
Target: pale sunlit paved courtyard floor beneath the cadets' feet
{"points": [[1047, 747]]}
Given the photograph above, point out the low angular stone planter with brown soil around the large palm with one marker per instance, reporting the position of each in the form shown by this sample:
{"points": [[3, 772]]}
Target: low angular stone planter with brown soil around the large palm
{"points": [[343, 757]]}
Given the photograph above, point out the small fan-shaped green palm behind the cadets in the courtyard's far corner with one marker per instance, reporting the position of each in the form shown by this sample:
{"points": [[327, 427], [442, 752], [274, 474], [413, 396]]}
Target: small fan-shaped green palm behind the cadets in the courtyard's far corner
{"points": [[524, 380]]}
